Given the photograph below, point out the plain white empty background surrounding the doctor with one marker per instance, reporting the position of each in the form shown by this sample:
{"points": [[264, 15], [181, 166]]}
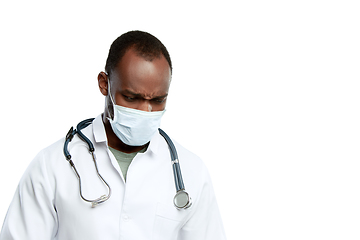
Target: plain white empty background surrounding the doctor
{"points": [[266, 92]]}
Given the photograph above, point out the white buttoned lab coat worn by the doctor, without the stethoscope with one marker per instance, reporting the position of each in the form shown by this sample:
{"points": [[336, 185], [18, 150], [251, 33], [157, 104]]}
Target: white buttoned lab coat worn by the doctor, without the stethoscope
{"points": [[47, 204]]}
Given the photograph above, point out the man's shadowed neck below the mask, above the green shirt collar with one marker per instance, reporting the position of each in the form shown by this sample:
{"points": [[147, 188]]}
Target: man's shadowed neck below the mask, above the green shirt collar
{"points": [[115, 142]]}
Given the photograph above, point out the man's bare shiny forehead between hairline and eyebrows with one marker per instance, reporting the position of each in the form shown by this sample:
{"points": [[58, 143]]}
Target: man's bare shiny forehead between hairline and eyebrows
{"points": [[141, 75]]}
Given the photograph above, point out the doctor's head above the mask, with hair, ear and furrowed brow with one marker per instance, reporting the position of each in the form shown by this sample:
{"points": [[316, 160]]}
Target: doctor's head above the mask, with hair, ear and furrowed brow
{"points": [[137, 73]]}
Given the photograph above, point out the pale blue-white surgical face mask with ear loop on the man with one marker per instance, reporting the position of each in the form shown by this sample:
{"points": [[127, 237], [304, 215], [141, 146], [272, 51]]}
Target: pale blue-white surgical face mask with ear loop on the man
{"points": [[134, 127]]}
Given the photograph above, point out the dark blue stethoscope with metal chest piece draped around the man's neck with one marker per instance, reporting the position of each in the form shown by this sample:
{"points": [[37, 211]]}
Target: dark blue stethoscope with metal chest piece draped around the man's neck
{"points": [[182, 200]]}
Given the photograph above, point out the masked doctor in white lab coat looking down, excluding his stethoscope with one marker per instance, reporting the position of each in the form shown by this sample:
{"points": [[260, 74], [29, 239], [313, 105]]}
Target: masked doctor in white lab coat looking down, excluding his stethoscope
{"points": [[134, 161]]}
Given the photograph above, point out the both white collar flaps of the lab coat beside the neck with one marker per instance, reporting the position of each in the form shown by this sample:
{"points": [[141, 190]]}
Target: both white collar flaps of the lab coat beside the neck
{"points": [[100, 135]]}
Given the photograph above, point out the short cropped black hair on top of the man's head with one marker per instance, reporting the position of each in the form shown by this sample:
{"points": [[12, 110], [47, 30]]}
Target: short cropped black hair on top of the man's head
{"points": [[145, 44]]}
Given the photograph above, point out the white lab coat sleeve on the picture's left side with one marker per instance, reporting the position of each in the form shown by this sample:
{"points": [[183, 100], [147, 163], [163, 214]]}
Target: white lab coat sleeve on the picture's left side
{"points": [[31, 214]]}
